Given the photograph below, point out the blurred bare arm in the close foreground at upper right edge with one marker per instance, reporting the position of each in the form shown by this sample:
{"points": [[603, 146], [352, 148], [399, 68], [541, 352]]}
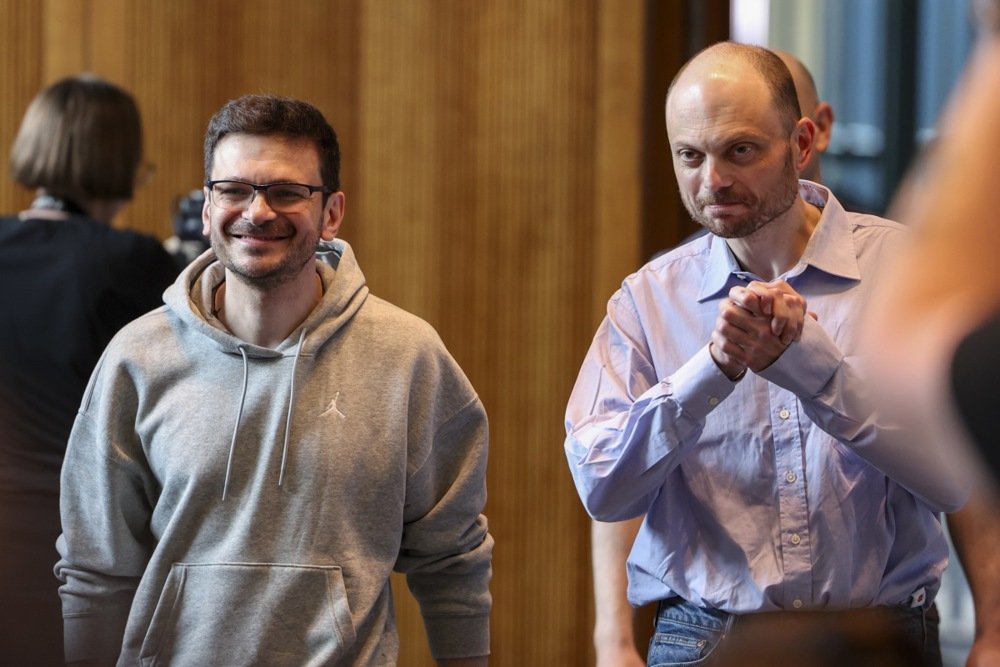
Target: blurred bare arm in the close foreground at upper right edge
{"points": [[946, 202]]}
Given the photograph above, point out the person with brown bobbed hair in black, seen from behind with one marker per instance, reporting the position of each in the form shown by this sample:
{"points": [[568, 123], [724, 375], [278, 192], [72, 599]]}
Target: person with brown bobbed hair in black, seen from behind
{"points": [[71, 281]]}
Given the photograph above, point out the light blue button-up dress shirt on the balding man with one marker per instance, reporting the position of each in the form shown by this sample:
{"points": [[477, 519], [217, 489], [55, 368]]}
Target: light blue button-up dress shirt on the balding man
{"points": [[780, 491]]}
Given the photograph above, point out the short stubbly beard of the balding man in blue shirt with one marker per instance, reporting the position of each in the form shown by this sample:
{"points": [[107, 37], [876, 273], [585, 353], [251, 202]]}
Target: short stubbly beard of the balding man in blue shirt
{"points": [[759, 211]]}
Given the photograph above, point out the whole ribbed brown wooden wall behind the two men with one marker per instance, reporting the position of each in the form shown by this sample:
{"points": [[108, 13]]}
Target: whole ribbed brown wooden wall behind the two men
{"points": [[493, 167]]}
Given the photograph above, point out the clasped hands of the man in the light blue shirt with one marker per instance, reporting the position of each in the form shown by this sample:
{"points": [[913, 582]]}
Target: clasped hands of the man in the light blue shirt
{"points": [[756, 324]]}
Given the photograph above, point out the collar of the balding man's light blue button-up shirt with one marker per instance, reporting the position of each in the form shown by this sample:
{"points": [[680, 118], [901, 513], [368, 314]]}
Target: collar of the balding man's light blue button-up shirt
{"points": [[830, 249]]}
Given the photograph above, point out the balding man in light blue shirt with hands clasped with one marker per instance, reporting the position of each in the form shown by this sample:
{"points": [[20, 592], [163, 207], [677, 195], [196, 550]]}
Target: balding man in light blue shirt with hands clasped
{"points": [[721, 395]]}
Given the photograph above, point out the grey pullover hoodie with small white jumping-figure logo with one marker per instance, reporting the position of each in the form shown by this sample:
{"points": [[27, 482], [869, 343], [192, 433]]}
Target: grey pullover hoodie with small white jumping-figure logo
{"points": [[228, 504]]}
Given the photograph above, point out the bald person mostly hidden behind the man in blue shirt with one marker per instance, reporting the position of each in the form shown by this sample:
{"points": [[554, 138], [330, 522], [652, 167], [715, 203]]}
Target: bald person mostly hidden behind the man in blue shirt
{"points": [[975, 528]]}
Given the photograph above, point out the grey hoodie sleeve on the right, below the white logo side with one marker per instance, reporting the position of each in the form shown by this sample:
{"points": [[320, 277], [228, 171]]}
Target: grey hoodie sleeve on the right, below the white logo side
{"points": [[446, 551]]}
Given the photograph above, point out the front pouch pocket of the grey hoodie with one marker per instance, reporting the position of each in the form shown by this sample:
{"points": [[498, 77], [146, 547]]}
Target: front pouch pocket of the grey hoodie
{"points": [[249, 614]]}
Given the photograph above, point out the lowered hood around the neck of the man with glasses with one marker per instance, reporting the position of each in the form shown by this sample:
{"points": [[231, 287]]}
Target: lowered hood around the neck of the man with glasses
{"points": [[344, 291]]}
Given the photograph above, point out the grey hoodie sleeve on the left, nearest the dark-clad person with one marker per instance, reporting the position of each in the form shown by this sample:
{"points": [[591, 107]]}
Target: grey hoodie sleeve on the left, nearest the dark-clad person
{"points": [[105, 500]]}
